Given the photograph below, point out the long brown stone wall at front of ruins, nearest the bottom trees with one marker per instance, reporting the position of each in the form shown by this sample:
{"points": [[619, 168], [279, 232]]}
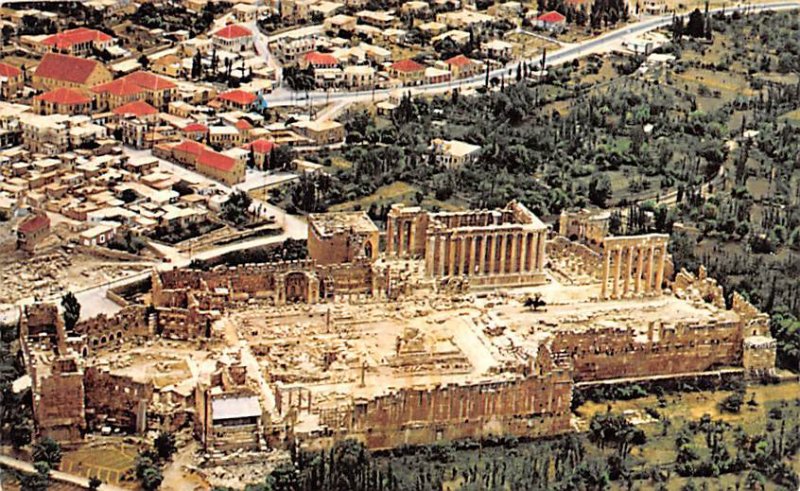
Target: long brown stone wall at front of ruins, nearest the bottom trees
{"points": [[532, 406]]}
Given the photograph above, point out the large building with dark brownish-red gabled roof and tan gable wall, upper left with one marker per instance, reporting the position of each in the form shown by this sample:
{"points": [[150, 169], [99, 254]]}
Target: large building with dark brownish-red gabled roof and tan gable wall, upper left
{"points": [[57, 70]]}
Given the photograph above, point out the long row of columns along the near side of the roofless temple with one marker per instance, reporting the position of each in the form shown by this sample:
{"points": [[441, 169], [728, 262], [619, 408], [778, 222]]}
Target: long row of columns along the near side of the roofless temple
{"points": [[490, 253]]}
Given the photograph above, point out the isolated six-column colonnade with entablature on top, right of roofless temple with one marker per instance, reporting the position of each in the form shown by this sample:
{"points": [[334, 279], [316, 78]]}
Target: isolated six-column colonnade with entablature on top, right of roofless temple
{"points": [[633, 265]]}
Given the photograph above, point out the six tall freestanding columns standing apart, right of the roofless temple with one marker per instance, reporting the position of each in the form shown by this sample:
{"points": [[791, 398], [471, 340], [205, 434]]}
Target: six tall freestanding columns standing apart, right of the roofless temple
{"points": [[622, 272]]}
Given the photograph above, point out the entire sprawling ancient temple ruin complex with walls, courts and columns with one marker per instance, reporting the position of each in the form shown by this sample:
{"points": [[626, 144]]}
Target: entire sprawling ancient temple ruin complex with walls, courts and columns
{"points": [[411, 335]]}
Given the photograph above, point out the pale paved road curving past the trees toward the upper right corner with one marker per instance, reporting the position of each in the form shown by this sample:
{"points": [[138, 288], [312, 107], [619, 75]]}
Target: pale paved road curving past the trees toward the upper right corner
{"points": [[601, 44]]}
